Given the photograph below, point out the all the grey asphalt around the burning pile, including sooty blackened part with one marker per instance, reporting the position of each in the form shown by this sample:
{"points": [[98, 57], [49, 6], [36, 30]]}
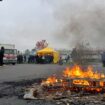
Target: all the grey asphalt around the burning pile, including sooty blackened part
{"points": [[14, 78]]}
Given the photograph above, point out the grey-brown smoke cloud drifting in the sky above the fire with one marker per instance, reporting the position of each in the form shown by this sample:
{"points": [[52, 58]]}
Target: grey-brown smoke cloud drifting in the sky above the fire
{"points": [[81, 21]]}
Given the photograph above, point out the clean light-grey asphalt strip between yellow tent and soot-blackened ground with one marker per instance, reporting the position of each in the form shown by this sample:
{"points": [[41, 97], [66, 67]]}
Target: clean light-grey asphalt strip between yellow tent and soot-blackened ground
{"points": [[27, 71]]}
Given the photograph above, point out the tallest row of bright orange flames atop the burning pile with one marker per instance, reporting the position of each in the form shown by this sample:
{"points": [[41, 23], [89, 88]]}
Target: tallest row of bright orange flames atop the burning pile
{"points": [[78, 72]]}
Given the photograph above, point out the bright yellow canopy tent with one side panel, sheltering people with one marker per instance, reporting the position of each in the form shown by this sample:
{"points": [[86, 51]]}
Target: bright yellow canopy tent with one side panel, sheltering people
{"points": [[50, 51]]}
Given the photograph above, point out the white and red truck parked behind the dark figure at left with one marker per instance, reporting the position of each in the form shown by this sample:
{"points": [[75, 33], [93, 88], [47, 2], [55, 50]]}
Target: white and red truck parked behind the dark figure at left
{"points": [[10, 54]]}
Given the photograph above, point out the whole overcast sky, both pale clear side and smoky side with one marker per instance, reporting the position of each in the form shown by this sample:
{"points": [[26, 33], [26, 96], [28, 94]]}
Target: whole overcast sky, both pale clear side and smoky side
{"points": [[61, 22]]}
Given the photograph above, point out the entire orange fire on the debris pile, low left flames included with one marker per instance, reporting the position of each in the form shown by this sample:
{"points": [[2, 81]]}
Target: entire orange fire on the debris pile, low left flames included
{"points": [[76, 76]]}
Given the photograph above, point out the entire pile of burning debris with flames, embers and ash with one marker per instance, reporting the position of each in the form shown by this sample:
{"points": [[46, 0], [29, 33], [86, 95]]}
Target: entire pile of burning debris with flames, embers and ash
{"points": [[72, 85]]}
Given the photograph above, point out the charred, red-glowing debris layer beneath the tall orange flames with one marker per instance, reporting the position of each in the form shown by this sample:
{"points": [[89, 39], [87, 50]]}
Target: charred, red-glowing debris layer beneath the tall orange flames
{"points": [[77, 85]]}
